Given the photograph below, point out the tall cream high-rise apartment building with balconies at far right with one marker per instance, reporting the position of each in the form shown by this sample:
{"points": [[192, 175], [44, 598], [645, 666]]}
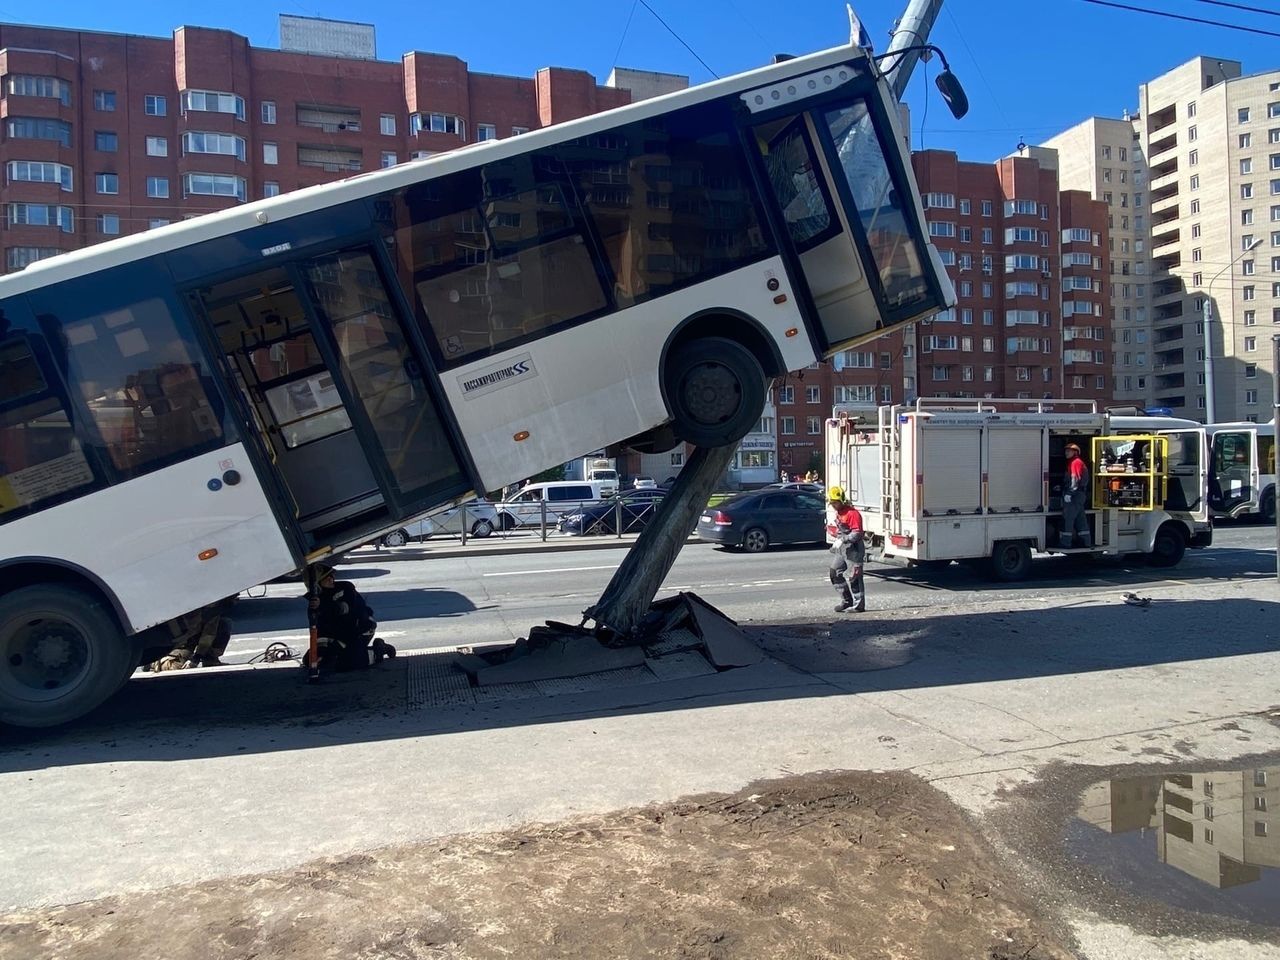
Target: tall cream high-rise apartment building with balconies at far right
{"points": [[1203, 200]]}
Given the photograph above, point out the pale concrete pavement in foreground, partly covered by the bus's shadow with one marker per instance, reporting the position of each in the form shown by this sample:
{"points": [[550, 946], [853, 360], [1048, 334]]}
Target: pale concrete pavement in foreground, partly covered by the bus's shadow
{"points": [[986, 700]]}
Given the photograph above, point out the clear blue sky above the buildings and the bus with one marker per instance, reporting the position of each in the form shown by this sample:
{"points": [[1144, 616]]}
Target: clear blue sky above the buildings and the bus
{"points": [[1031, 67]]}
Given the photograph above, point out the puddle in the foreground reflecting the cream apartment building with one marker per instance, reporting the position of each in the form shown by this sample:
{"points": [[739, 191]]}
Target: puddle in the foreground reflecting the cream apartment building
{"points": [[1205, 842]]}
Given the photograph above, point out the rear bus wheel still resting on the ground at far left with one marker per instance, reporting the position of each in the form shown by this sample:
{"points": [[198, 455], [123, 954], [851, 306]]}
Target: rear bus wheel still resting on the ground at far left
{"points": [[62, 653]]}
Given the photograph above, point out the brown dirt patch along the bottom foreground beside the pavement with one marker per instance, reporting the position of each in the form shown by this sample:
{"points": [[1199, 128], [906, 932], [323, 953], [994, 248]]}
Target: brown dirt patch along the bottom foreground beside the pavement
{"points": [[824, 866]]}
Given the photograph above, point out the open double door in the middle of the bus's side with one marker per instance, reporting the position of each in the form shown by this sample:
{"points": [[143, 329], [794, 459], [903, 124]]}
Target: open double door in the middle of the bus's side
{"points": [[330, 374]]}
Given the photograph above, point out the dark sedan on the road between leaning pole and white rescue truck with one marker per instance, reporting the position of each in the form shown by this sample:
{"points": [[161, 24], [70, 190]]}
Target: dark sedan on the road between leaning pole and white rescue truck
{"points": [[756, 522]]}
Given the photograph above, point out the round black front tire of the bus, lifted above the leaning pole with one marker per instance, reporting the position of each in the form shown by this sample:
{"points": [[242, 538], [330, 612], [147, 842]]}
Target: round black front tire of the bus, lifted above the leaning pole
{"points": [[716, 391]]}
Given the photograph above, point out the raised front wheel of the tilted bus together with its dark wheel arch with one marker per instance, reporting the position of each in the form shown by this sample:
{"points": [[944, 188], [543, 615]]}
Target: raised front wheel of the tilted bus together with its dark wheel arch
{"points": [[714, 377]]}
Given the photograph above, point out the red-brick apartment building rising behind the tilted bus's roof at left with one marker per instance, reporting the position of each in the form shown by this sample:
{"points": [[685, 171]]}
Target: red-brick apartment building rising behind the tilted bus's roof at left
{"points": [[109, 135]]}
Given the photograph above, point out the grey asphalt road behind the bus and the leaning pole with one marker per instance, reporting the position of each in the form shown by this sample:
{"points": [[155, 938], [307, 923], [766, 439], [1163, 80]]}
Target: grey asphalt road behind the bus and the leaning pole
{"points": [[424, 602]]}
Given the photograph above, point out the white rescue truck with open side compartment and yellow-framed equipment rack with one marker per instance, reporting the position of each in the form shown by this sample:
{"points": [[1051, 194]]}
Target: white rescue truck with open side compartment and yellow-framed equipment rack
{"points": [[981, 481]]}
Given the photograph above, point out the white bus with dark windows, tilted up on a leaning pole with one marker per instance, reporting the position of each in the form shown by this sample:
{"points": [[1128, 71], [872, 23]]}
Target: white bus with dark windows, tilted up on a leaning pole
{"points": [[203, 408]]}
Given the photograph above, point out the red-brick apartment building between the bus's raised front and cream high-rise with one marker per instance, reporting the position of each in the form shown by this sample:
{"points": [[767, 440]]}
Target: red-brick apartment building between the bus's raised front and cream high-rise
{"points": [[1032, 272]]}
